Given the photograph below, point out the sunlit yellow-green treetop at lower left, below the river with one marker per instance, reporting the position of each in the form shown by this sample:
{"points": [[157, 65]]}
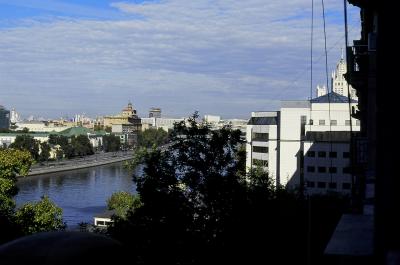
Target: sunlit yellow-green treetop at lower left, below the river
{"points": [[39, 216]]}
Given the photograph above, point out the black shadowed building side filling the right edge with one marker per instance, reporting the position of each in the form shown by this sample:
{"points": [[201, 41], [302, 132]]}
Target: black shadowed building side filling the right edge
{"points": [[373, 73]]}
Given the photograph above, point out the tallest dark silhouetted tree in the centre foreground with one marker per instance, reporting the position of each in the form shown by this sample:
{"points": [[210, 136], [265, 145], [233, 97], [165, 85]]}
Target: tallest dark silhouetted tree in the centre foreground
{"points": [[191, 194]]}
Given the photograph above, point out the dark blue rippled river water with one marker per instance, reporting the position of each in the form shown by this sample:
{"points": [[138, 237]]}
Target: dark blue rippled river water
{"points": [[80, 193]]}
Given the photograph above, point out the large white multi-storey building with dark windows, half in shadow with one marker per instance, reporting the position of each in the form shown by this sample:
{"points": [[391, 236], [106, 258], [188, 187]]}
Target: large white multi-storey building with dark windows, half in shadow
{"points": [[308, 145]]}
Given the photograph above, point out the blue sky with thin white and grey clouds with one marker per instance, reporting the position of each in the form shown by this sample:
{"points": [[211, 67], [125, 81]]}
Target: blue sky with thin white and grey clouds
{"points": [[220, 57]]}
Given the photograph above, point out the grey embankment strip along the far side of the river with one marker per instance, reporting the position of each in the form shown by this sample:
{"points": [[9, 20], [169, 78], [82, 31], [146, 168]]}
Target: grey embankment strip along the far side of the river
{"points": [[79, 163]]}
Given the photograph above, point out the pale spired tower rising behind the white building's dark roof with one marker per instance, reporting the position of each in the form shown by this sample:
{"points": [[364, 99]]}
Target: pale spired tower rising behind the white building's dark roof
{"points": [[339, 83]]}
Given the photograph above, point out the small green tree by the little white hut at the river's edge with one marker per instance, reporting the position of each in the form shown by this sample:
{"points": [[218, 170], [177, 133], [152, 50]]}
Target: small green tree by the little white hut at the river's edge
{"points": [[122, 202]]}
